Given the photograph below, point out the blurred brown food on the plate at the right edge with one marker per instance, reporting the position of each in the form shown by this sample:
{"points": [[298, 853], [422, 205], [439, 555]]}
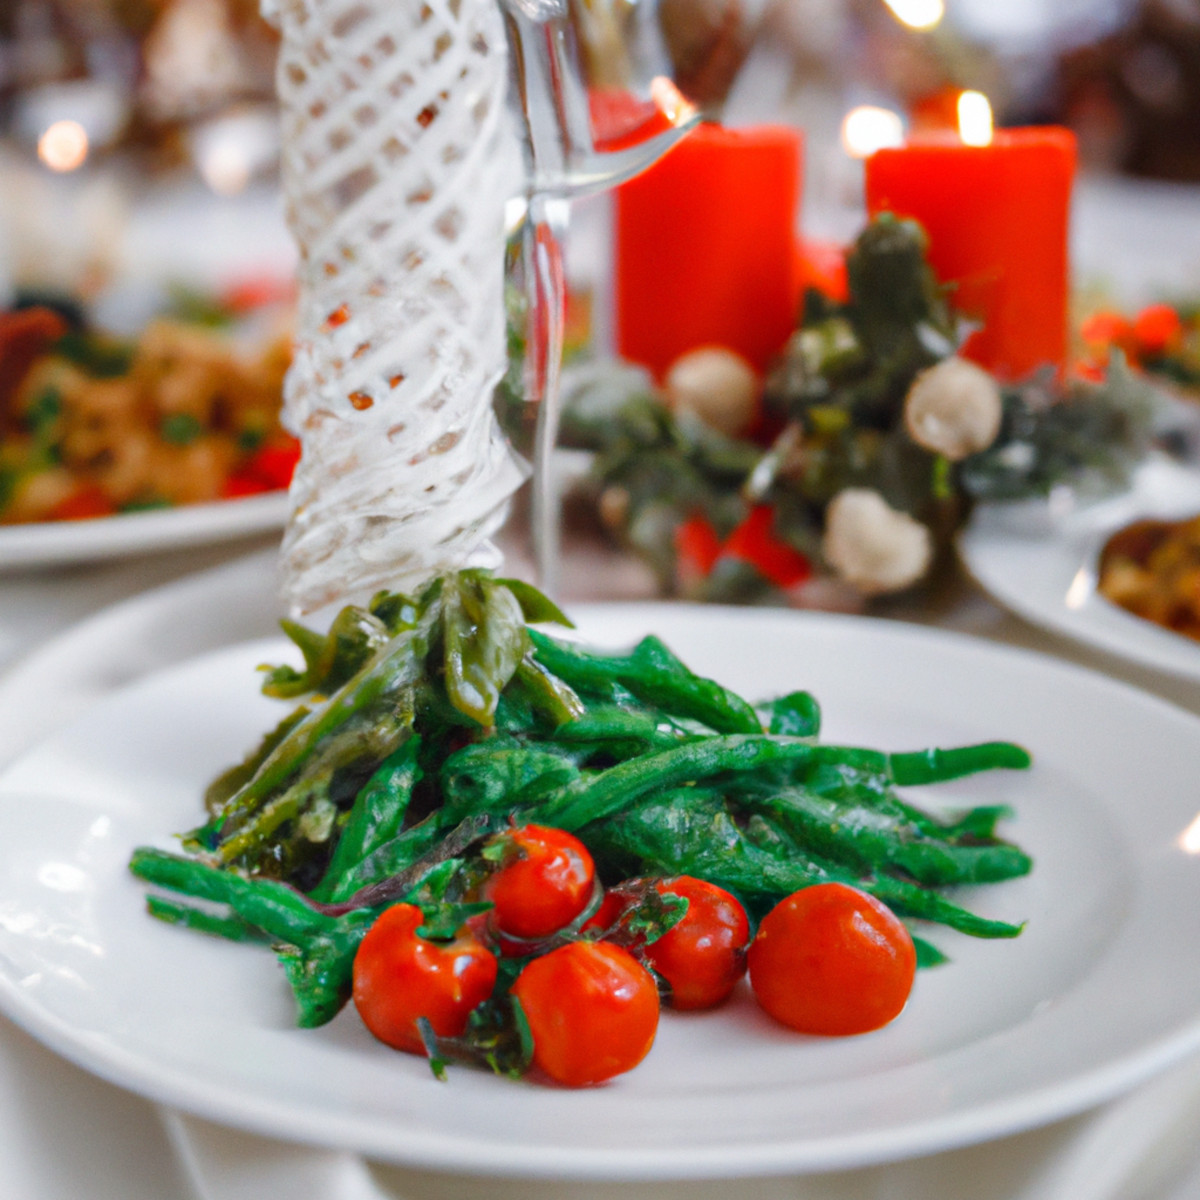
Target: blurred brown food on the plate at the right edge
{"points": [[1153, 569]]}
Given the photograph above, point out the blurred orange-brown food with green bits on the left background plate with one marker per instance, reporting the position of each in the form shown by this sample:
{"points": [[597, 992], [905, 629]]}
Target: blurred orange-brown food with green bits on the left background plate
{"points": [[94, 425]]}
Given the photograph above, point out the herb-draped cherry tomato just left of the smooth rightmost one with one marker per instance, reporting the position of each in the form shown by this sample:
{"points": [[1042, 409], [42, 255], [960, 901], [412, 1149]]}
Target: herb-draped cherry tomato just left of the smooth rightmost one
{"points": [[704, 955]]}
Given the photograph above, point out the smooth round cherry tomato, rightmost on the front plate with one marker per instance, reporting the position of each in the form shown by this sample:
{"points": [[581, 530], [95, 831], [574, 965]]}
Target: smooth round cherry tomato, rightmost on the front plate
{"points": [[833, 961]]}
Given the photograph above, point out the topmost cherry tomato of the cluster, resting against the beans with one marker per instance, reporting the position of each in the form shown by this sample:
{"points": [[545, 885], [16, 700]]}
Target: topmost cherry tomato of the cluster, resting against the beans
{"points": [[544, 883]]}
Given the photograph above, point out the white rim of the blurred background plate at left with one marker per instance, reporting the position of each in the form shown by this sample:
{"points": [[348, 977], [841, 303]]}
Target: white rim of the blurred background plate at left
{"points": [[56, 543]]}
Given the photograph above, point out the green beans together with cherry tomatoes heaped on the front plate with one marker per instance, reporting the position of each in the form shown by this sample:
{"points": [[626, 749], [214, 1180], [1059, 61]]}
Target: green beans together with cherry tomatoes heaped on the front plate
{"points": [[512, 850]]}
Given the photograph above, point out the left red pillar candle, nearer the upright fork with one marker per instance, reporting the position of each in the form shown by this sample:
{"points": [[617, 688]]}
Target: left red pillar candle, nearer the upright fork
{"points": [[705, 247]]}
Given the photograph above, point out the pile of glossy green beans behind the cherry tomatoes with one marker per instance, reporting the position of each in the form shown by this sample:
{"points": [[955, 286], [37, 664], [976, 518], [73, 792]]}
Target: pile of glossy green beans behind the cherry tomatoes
{"points": [[427, 724]]}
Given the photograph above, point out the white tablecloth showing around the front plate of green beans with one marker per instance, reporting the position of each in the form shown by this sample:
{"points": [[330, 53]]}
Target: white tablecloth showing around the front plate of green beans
{"points": [[121, 1148]]}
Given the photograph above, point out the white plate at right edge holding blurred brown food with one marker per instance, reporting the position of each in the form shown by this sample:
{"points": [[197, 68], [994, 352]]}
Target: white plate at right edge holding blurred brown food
{"points": [[1043, 566]]}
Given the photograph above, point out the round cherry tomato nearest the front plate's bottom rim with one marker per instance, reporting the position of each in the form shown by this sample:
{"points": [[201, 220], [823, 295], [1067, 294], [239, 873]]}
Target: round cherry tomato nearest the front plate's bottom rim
{"points": [[593, 1012]]}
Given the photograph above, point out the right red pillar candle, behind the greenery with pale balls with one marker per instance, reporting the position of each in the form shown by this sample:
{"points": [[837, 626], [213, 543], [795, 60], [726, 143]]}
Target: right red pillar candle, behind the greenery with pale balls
{"points": [[998, 220]]}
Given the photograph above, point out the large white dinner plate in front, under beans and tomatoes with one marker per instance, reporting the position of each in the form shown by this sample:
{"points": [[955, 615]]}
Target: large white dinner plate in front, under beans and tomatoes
{"points": [[1101, 991]]}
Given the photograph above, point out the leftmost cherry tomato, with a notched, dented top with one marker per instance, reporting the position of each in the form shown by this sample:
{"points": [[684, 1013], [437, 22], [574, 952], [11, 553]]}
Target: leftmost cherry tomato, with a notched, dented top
{"points": [[400, 976]]}
